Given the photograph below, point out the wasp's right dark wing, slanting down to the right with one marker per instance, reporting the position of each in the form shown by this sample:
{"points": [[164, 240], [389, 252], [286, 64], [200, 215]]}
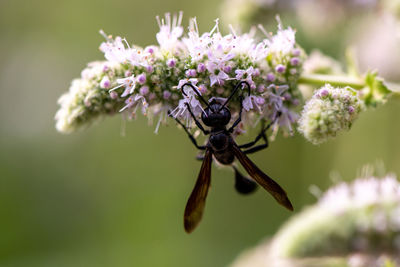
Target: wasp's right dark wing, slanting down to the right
{"points": [[261, 178]]}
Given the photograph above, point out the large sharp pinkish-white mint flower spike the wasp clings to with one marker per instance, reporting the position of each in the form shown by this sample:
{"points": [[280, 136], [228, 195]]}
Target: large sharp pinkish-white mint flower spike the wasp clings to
{"points": [[149, 79]]}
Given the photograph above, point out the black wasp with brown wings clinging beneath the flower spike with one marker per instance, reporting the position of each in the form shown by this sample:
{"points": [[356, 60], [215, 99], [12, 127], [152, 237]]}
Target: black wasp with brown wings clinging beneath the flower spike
{"points": [[224, 149]]}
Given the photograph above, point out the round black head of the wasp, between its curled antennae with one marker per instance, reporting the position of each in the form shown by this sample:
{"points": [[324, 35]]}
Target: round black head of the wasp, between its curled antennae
{"points": [[214, 116]]}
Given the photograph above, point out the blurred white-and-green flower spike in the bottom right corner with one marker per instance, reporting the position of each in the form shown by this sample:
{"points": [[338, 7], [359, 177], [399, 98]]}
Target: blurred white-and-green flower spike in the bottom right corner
{"points": [[361, 217]]}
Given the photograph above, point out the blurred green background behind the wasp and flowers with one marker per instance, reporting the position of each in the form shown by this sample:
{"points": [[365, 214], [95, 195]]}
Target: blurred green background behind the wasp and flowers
{"points": [[97, 198]]}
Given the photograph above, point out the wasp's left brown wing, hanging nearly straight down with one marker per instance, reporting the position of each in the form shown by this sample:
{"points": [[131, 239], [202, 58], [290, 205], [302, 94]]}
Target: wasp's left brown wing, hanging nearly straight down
{"points": [[197, 200]]}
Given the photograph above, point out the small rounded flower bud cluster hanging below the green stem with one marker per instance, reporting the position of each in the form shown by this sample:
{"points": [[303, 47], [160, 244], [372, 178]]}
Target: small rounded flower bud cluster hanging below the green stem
{"points": [[330, 111]]}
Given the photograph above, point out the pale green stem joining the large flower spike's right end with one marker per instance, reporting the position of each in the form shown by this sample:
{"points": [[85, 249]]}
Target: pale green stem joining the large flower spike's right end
{"points": [[334, 80]]}
